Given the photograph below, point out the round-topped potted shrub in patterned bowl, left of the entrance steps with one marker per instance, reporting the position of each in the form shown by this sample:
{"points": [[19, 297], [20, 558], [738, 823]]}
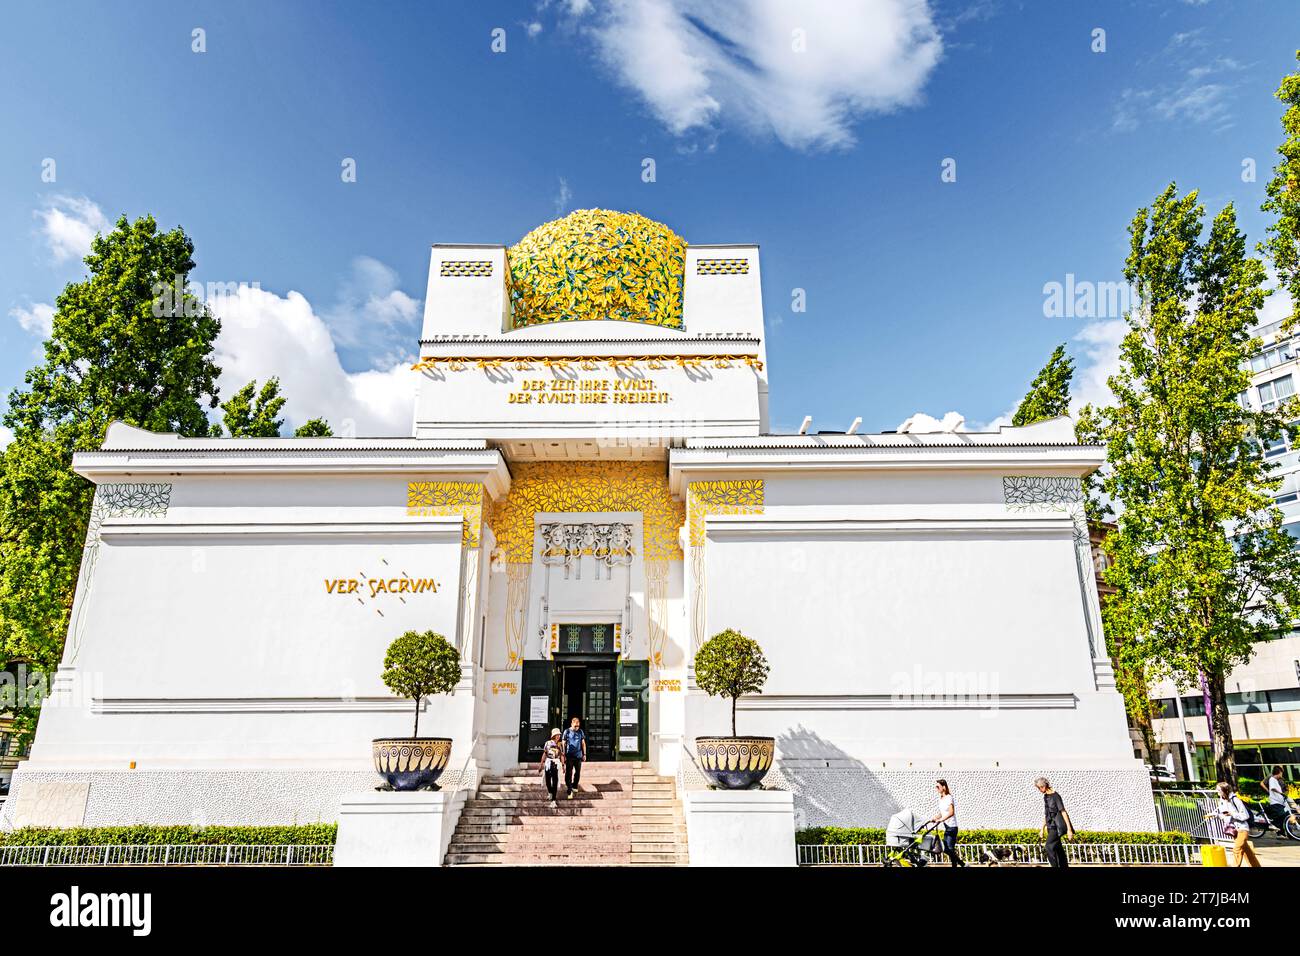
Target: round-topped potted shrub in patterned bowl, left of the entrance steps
{"points": [[417, 665]]}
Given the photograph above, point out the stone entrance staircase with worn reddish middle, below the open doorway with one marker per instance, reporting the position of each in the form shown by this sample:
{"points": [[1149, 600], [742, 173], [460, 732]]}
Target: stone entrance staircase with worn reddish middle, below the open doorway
{"points": [[626, 815]]}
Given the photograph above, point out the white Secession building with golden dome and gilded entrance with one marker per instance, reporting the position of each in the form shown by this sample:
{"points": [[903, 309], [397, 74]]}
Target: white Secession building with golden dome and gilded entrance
{"points": [[591, 491]]}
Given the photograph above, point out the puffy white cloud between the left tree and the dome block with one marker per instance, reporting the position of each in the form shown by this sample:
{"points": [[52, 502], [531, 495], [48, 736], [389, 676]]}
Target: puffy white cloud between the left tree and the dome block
{"points": [[265, 335]]}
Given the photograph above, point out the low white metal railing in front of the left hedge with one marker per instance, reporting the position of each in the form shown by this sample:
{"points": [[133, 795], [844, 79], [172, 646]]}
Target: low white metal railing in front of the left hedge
{"points": [[174, 855]]}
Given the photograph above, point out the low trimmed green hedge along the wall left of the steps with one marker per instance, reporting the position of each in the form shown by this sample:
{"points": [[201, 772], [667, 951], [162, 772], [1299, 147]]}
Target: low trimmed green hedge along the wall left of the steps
{"points": [[311, 834]]}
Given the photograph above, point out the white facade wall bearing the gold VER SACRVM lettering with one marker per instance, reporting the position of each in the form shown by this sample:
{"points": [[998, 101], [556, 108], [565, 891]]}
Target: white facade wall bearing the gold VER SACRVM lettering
{"points": [[214, 673]]}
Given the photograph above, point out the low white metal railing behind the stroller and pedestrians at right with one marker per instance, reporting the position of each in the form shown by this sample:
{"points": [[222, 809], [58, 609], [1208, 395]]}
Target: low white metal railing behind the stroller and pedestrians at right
{"points": [[1106, 854]]}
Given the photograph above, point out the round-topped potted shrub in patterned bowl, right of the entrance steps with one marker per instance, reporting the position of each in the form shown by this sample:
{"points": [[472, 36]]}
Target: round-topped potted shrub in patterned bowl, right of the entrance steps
{"points": [[729, 665]]}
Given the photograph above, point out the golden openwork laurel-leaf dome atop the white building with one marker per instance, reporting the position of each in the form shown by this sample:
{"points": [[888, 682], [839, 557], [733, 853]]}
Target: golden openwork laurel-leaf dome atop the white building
{"points": [[599, 265]]}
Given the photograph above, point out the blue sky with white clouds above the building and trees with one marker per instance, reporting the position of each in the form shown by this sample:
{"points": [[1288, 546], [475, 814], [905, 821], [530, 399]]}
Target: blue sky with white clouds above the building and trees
{"points": [[922, 295]]}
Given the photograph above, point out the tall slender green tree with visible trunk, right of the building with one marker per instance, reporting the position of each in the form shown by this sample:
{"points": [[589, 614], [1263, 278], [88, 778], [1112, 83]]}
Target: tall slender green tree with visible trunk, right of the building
{"points": [[1199, 559]]}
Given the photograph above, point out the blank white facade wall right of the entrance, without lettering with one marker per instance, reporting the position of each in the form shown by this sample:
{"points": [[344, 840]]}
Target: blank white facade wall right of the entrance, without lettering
{"points": [[918, 628]]}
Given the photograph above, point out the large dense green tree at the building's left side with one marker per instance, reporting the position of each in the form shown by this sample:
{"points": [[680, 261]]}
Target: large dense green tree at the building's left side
{"points": [[128, 344]]}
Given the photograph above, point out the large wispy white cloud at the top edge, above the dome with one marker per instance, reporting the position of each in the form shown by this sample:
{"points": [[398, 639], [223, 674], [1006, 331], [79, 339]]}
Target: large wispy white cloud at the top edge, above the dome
{"points": [[803, 73]]}
